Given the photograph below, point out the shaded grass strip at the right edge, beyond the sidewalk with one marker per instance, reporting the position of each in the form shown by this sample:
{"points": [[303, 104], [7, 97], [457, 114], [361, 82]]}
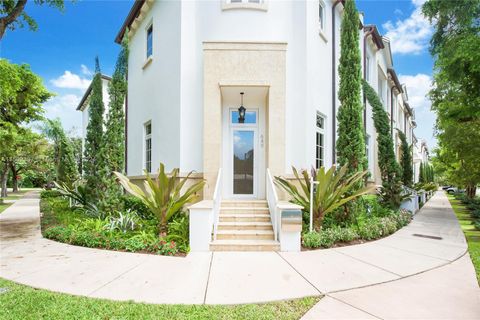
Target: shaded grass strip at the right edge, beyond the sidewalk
{"points": [[472, 234]]}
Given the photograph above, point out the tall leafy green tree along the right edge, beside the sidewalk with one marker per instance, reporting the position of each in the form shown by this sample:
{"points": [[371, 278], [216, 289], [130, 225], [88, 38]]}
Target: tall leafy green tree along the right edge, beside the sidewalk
{"points": [[455, 96]]}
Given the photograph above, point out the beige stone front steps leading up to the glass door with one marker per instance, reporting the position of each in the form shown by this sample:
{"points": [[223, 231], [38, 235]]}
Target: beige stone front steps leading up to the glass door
{"points": [[244, 226]]}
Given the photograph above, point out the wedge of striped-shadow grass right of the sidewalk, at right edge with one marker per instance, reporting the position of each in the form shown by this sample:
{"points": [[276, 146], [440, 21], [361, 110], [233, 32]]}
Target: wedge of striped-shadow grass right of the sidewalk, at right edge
{"points": [[468, 214]]}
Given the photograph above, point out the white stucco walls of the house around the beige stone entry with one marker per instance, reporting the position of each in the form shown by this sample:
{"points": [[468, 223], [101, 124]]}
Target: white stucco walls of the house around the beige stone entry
{"points": [[169, 90]]}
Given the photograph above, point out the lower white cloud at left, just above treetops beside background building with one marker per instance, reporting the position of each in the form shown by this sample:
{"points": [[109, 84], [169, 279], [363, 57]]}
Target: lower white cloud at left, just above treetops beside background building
{"points": [[64, 107]]}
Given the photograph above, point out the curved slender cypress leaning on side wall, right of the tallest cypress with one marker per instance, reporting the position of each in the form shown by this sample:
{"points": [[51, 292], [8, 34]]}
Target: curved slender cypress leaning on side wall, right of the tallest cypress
{"points": [[390, 170]]}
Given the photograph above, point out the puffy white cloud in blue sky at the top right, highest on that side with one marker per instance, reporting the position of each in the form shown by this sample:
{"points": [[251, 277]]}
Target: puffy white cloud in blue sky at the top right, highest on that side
{"points": [[411, 35]]}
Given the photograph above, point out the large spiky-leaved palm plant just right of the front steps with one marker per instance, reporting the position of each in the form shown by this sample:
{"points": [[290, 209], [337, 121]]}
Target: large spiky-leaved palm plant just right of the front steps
{"points": [[333, 190]]}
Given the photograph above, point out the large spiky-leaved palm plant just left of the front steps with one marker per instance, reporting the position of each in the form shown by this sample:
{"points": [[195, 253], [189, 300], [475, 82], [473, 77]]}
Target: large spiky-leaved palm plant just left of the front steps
{"points": [[163, 196]]}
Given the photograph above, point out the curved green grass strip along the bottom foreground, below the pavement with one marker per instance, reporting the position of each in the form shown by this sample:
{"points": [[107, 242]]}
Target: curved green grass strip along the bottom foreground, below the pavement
{"points": [[22, 302]]}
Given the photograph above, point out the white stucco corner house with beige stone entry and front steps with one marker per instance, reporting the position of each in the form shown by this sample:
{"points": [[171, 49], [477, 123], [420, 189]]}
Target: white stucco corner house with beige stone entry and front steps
{"points": [[240, 91]]}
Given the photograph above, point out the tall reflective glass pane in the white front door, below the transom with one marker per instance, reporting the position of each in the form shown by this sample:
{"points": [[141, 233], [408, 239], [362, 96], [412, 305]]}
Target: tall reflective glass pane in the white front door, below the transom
{"points": [[243, 164]]}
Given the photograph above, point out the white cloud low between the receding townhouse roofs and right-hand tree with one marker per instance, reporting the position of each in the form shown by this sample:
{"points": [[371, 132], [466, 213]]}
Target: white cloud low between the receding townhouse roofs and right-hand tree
{"points": [[418, 87]]}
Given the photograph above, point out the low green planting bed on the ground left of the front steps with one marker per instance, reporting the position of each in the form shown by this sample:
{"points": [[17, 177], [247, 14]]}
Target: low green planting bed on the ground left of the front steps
{"points": [[133, 230]]}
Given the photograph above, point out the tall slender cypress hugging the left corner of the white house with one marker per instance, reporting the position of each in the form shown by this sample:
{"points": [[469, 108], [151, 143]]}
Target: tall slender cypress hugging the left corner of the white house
{"points": [[114, 140]]}
